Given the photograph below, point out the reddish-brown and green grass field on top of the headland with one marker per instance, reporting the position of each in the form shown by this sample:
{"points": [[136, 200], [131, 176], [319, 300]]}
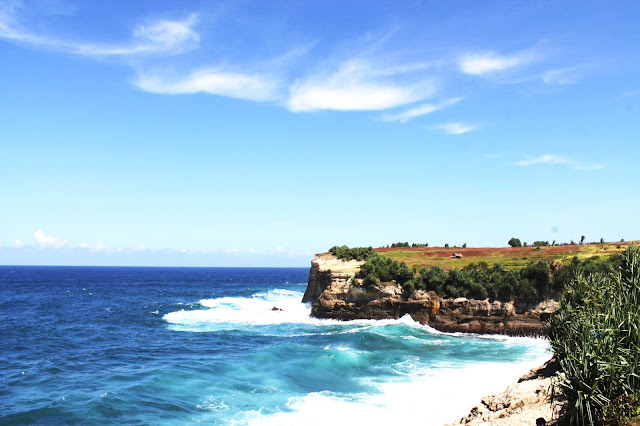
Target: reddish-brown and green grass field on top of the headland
{"points": [[509, 257]]}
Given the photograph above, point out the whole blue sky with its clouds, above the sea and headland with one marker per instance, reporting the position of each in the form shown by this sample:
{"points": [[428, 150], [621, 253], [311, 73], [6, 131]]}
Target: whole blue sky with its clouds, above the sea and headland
{"points": [[252, 133]]}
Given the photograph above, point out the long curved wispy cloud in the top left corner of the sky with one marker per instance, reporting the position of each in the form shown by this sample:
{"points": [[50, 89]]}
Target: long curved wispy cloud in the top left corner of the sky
{"points": [[155, 37]]}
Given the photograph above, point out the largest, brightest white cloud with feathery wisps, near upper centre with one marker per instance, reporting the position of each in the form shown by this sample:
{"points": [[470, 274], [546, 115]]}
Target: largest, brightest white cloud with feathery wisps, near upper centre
{"points": [[358, 86]]}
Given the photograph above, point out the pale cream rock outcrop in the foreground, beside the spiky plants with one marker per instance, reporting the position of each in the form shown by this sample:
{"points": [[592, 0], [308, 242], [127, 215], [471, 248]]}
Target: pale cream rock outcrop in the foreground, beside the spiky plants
{"points": [[529, 402]]}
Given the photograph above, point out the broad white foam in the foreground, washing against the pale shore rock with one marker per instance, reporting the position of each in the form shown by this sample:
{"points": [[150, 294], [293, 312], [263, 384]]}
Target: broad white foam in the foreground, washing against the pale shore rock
{"points": [[431, 396]]}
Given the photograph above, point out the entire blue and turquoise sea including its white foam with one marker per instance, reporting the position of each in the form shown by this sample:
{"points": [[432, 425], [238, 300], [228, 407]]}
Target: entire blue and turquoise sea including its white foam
{"points": [[123, 345]]}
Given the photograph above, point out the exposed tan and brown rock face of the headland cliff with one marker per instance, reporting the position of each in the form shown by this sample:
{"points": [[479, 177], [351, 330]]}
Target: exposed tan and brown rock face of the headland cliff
{"points": [[335, 293]]}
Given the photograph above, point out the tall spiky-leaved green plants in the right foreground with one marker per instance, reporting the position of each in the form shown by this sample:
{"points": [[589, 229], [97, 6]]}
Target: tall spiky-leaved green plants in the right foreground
{"points": [[596, 337]]}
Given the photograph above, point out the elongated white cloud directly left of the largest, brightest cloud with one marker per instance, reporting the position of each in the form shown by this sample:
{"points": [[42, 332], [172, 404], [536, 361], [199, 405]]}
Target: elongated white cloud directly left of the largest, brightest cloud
{"points": [[253, 87]]}
